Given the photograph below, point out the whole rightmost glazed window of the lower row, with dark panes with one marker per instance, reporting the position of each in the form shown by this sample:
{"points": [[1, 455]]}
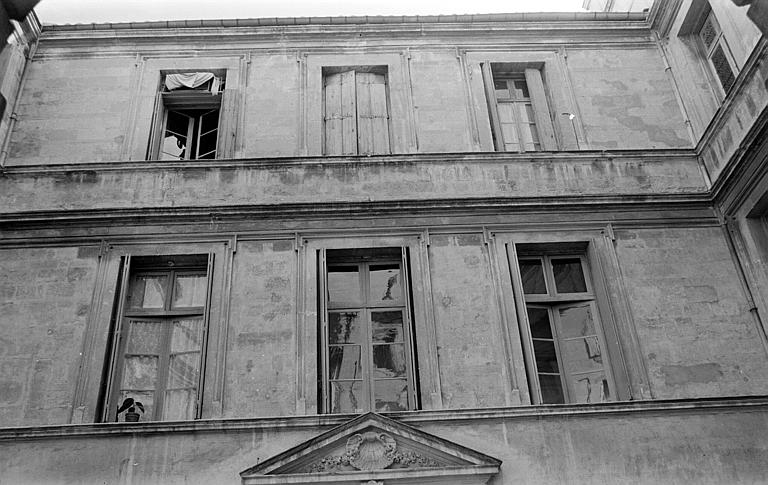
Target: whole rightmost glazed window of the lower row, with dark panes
{"points": [[567, 362]]}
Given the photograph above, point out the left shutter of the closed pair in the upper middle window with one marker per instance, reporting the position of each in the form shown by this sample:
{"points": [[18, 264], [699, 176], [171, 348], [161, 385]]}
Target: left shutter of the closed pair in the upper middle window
{"points": [[340, 114]]}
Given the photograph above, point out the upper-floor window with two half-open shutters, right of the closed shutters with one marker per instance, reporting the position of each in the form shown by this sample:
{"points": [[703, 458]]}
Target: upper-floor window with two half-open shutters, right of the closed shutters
{"points": [[517, 103]]}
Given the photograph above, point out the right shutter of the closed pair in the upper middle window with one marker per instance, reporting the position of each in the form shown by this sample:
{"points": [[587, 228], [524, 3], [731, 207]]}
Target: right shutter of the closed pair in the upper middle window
{"points": [[372, 116]]}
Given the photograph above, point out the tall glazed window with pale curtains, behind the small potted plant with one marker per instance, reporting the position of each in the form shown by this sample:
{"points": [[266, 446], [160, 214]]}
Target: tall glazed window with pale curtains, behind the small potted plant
{"points": [[159, 352]]}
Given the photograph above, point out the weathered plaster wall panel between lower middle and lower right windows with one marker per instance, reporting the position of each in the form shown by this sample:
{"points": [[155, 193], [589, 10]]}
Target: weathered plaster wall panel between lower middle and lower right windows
{"points": [[469, 344]]}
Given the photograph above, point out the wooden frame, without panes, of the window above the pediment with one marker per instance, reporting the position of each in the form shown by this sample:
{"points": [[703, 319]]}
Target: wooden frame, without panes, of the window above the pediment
{"points": [[363, 260]]}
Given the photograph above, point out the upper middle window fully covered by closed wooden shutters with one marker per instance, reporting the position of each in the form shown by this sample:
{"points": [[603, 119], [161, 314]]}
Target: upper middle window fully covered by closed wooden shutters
{"points": [[356, 111]]}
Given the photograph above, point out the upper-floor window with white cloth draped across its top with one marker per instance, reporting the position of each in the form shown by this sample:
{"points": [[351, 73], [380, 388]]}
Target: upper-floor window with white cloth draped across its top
{"points": [[188, 114]]}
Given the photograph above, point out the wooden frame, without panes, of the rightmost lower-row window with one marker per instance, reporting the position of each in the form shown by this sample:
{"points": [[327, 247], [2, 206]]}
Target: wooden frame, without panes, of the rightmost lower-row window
{"points": [[553, 301]]}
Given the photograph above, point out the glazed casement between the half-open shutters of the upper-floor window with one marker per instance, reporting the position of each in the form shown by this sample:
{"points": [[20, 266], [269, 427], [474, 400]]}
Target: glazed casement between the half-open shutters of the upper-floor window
{"points": [[515, 114]]}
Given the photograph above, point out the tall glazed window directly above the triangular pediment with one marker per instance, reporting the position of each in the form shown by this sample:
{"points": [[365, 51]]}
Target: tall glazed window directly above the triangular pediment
{"points": [[368, 361]]}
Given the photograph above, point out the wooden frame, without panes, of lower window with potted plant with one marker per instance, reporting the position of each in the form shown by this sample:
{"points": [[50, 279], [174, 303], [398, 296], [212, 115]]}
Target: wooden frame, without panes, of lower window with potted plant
{"points": [[133, 268]]}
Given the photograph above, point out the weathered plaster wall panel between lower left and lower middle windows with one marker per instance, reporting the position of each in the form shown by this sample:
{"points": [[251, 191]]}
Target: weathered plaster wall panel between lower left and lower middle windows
{"points": [[261, 353]]}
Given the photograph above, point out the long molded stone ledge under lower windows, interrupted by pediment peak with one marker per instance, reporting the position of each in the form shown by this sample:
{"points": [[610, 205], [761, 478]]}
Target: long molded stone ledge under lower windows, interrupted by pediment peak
{"points": [[746, 404]]}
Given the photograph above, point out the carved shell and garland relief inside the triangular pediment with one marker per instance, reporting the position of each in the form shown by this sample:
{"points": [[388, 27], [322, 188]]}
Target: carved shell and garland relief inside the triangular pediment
{"points": [[371, 451]]}
